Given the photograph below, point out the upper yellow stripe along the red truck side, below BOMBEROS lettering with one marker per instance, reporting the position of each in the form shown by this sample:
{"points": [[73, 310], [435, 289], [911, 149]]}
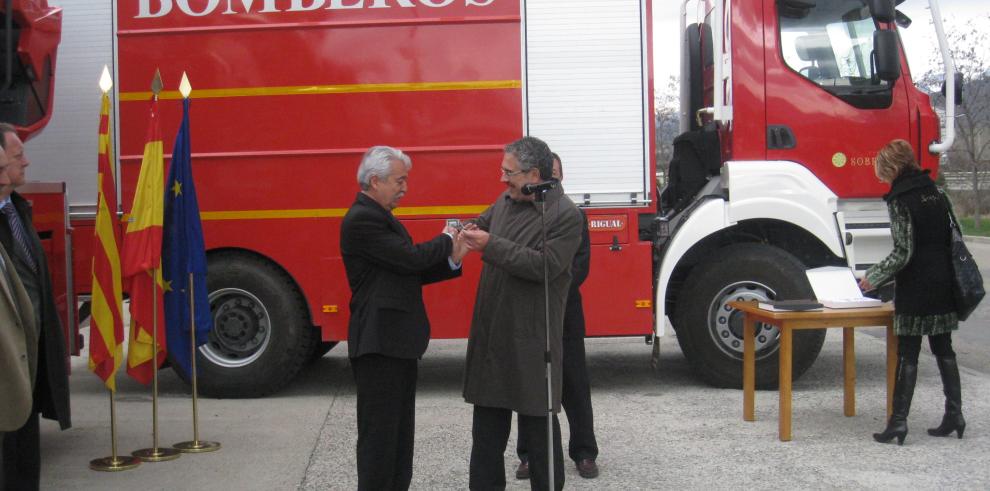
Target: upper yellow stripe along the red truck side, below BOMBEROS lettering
{"points": [[327, 89]]}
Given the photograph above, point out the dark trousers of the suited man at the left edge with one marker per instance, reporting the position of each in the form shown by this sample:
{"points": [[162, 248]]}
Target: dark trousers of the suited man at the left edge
{"points": [[22, 457]]}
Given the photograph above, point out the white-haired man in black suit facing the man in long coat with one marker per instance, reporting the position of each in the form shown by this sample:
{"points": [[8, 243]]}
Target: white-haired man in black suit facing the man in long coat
{"points": [[388, 330]]}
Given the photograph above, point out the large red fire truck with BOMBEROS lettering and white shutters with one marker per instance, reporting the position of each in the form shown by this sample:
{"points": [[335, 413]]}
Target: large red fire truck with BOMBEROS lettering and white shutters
{"points": [[785, 102]]}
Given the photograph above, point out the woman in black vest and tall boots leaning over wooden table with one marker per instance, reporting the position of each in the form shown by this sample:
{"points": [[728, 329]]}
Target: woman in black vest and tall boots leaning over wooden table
{"points": [[921, 267]]}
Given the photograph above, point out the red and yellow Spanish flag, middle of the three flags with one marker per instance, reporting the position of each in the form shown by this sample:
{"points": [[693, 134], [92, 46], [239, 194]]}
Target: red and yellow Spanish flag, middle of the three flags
{"points": [[143, 258]]}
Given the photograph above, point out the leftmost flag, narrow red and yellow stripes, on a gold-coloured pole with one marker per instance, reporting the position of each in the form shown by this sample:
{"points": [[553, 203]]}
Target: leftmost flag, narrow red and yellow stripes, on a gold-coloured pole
{"points": [[107, 323]]}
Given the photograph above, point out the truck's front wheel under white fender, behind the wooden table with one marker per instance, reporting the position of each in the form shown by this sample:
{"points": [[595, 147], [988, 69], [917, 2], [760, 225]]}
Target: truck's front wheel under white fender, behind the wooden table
{"points": [[710, 332]]}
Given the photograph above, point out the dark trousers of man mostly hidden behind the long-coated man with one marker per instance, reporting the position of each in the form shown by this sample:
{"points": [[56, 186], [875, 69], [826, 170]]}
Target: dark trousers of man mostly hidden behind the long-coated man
{"points": [[576, 399]]}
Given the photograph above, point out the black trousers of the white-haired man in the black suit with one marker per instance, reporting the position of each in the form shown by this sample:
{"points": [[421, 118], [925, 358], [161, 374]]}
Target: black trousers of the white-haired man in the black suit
{"points": [[386, 417]]}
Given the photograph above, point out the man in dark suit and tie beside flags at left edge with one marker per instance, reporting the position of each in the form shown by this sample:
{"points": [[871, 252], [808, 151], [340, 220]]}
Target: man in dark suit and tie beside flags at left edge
{"points": [[22, 448]]}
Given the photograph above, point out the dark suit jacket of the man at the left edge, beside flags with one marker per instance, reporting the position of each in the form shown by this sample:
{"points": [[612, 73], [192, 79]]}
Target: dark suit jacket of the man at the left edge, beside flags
{"points": [[52, 385]]}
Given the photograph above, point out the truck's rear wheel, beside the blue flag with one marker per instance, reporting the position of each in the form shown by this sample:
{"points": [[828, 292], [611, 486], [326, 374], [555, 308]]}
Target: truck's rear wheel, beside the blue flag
{"points": [[261, 333]]}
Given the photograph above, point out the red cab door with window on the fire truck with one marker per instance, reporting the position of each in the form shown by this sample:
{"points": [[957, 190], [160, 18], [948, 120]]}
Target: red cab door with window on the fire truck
{"points": [[826, 108]]}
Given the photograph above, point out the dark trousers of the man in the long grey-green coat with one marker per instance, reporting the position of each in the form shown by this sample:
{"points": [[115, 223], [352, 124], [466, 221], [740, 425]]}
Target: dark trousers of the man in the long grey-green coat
{"points": [[490, 434]]}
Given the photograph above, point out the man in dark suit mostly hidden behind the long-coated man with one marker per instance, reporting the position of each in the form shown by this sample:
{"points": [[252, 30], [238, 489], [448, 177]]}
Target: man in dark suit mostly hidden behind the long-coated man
{"points": [[576, 389]]}
